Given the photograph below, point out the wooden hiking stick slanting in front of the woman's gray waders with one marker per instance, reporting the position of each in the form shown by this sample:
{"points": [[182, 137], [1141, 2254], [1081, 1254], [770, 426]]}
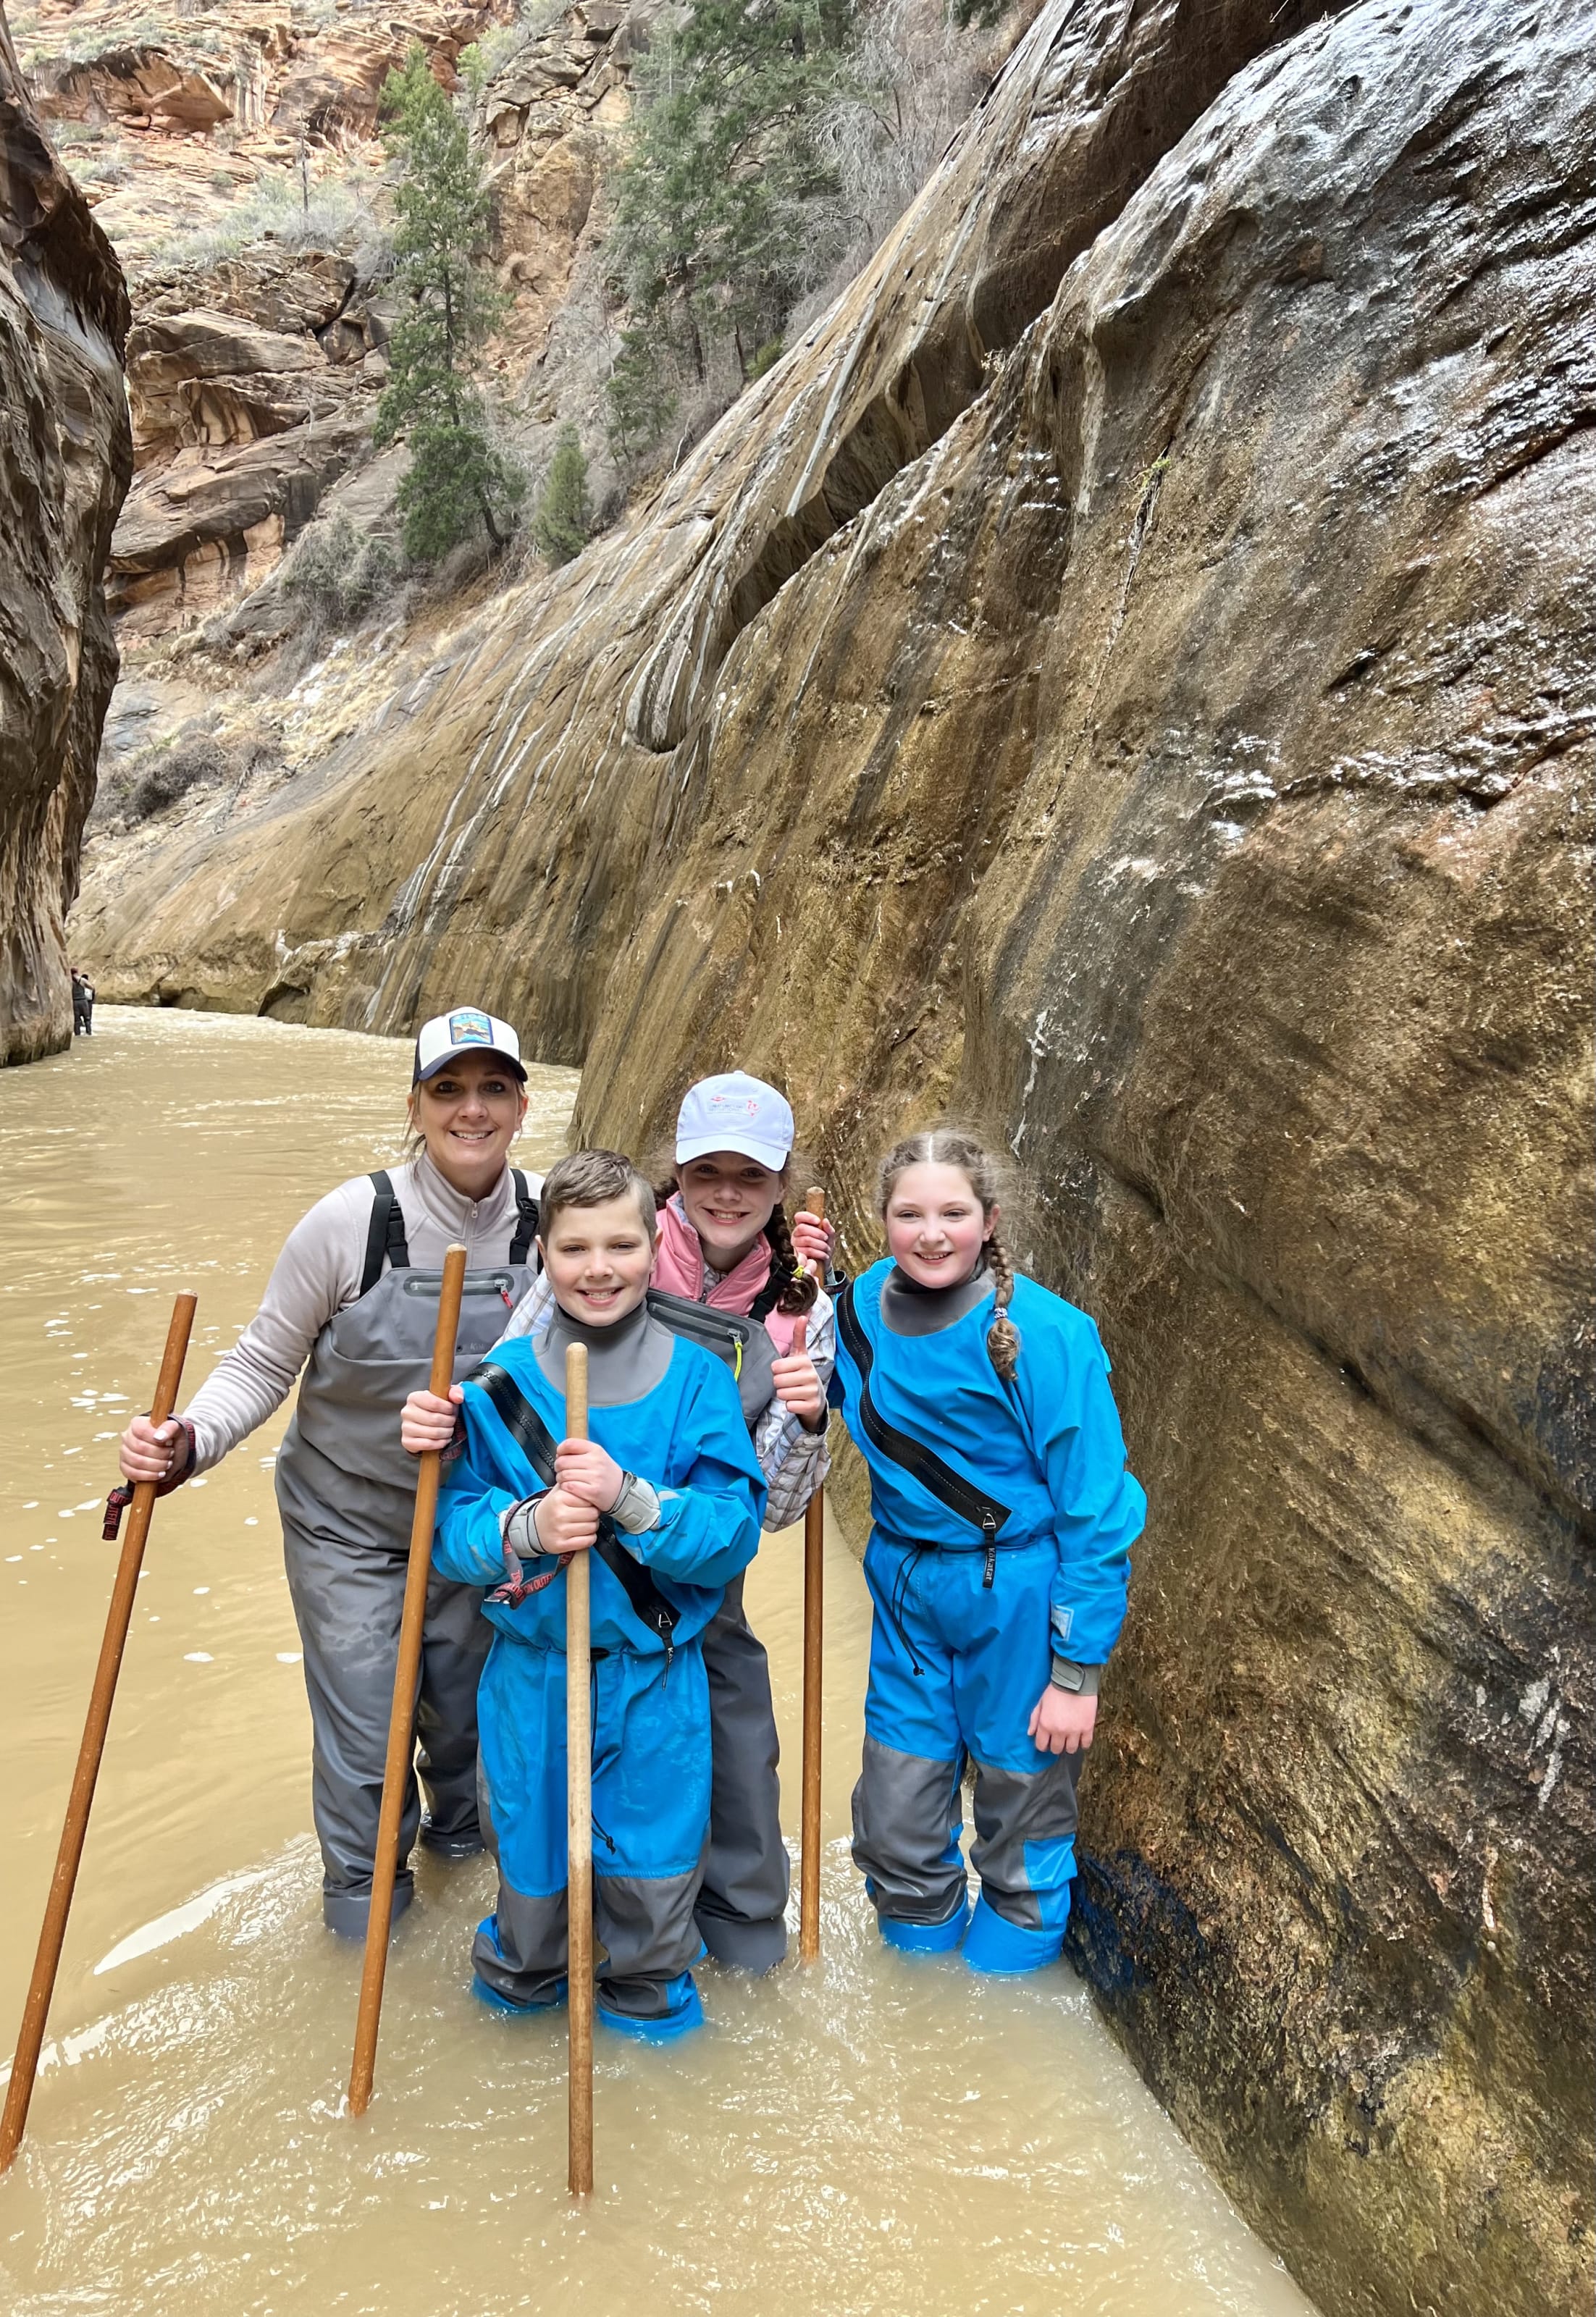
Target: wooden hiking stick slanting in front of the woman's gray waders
{"points": [[402, 1720]]}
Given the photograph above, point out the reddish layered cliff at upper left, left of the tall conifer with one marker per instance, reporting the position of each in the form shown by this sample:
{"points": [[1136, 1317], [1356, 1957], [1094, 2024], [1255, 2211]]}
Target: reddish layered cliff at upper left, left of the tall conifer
{"points": [[254, 370]]}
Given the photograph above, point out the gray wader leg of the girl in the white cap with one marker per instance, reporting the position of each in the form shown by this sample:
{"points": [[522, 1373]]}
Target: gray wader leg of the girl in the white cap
{"points": [[745, 1894]]}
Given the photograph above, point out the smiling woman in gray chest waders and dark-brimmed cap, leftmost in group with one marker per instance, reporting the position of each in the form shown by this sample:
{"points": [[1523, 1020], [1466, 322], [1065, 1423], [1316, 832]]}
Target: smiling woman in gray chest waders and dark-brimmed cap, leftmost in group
{"points": [[356, 1296]]}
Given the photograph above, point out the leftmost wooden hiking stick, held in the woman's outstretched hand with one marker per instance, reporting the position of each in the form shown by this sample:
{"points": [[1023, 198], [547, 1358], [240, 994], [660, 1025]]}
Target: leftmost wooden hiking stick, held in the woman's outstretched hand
{"points": [[43, 1985]]}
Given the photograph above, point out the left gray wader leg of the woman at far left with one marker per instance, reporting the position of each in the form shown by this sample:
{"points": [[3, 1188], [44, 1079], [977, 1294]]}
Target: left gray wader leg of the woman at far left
{"points": [[346, 1605]]}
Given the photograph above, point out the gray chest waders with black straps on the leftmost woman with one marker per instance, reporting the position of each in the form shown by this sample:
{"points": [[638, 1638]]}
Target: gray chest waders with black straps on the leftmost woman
{"points": [[346, 1491]]}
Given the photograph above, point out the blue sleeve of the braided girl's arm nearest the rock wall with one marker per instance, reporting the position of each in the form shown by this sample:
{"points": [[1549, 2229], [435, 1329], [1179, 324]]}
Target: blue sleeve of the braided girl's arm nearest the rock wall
{"points": [[1099, 1505]]}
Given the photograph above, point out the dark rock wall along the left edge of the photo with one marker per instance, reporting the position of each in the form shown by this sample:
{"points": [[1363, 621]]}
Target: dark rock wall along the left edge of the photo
{"points": [[64, 472]]}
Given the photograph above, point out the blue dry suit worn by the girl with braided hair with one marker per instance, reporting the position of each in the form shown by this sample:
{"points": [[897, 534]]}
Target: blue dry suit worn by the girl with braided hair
{"points": [[1002, 1544]]}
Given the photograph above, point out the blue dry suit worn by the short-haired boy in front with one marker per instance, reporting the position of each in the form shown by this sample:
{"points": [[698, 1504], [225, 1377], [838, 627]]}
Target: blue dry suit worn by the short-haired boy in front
{"points": [[652, 1760]]}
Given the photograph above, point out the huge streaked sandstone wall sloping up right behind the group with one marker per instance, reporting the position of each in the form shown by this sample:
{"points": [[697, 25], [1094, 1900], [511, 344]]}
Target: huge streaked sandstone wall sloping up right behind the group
{"points": [[1129, 675]]}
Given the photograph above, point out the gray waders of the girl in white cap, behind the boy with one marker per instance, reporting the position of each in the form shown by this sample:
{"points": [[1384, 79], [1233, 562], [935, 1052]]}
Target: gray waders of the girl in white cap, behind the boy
{"points": [[742, 1903]]}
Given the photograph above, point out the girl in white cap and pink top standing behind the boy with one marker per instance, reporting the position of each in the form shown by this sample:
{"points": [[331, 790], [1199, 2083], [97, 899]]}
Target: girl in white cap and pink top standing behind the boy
{"points": [[726, 1248]]}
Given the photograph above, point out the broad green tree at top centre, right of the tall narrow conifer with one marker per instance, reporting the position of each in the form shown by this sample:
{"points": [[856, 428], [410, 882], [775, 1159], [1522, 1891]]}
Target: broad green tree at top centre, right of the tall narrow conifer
{"points": [[724, 207]]}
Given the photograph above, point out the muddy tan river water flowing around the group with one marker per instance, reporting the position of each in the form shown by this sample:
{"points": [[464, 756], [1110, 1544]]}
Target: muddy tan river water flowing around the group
{"points": [[877, 2135]]}
